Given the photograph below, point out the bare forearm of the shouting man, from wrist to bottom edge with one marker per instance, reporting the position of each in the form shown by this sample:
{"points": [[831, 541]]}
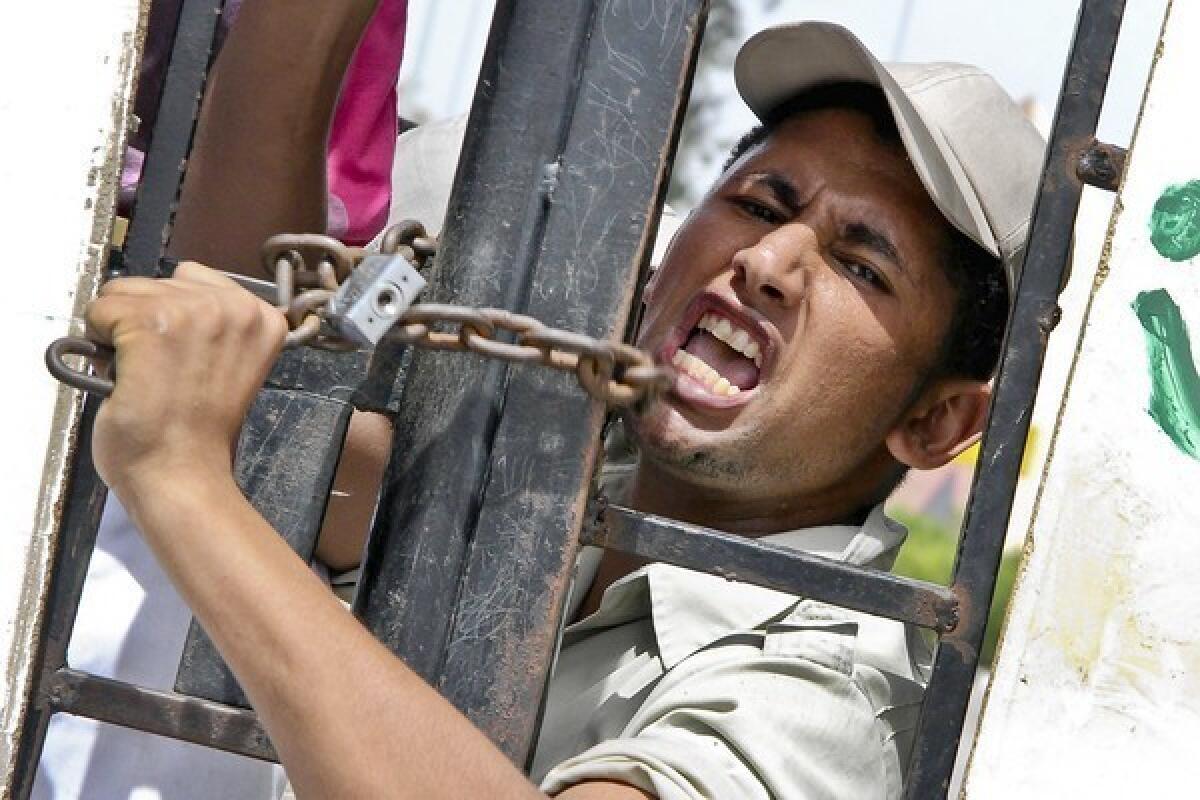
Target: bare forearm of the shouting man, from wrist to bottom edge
{"points": [[347, 718]]}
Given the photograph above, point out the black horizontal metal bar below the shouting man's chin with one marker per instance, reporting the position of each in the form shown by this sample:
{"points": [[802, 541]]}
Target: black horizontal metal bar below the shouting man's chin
{"points": [[784, 569]]}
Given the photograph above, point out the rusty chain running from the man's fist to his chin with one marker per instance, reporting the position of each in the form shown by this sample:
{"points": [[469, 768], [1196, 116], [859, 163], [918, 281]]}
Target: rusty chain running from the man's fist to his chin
{"points": [[613, 372]]}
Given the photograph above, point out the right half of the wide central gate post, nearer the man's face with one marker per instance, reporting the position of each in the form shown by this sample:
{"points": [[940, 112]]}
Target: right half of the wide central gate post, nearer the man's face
{"points": [[601, 230]]}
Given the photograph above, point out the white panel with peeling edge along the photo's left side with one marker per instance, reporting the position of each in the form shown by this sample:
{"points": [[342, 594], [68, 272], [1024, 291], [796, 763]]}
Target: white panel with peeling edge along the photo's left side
{"points": [[69, 71]]}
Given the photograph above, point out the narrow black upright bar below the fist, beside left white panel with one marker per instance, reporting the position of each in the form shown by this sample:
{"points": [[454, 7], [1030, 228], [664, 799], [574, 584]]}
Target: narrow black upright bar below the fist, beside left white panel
{"points": [[81, 519]]}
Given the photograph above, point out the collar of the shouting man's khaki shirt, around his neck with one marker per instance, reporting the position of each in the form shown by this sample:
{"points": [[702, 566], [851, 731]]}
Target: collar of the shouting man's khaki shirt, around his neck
{"points": [[692, 610]]}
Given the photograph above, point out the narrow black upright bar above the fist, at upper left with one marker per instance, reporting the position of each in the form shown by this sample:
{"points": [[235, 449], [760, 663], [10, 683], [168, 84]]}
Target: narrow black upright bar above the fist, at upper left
{"points": [[163, 173]]}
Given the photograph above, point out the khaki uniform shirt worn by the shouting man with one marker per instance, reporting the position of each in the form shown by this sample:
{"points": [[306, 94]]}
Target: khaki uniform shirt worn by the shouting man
{"points": [[689, 685]]}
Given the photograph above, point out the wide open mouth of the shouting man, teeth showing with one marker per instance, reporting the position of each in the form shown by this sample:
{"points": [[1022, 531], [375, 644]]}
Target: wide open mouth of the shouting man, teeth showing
{"points": [[721, 356]]}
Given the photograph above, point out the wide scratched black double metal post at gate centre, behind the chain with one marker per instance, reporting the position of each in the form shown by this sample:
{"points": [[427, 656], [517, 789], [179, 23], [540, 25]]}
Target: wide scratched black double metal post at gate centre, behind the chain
{"points": [[562, 171]]}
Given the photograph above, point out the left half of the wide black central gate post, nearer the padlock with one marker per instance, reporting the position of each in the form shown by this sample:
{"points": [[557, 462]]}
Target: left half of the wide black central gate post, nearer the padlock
{"points": [[452, 405]]}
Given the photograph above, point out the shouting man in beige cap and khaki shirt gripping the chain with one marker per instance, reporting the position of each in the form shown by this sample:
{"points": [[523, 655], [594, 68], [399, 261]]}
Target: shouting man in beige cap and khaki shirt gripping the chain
{"points": [[835, 309]]}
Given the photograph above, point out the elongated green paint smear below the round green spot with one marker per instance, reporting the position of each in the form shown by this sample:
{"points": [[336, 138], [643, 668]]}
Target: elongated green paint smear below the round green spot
{"points": [[1175, 387]]}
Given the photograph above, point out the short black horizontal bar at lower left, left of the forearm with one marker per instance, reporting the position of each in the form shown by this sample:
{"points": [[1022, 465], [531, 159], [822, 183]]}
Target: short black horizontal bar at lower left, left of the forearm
{"points": [[166, 714]]}
